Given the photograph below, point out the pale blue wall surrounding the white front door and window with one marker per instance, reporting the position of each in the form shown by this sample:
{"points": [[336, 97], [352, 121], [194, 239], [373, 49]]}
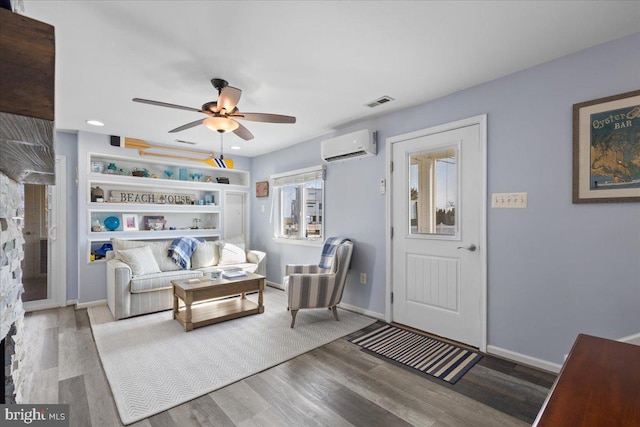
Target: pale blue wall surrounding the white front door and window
{"points": [[555, 269]]}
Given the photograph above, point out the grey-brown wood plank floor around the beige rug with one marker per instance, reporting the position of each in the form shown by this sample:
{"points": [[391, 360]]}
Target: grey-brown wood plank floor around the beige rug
{"points": [[334, 385]]}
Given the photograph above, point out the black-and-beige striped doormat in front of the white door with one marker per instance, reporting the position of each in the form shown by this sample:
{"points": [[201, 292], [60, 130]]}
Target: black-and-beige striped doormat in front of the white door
{"points": [[439, 359]]}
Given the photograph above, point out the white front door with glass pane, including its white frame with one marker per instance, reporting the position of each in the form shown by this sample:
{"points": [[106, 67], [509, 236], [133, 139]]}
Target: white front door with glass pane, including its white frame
{"points": [[438, 254]]}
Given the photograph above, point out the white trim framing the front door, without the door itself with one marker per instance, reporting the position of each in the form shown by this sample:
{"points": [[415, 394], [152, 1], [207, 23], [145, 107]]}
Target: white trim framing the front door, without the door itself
{"points": [[481, 121]]}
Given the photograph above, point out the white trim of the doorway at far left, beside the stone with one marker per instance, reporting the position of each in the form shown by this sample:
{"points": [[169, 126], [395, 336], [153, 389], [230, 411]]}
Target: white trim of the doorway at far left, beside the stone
{"points": [[57, 256]]}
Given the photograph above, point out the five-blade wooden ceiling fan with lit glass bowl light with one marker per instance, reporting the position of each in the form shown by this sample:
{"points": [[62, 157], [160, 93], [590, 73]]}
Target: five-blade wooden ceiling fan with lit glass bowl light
{"points": [[223, 113]]}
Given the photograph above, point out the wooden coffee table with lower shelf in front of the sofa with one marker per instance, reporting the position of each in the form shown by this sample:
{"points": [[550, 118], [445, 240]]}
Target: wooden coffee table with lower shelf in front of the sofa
{"points": [[191, 291]]}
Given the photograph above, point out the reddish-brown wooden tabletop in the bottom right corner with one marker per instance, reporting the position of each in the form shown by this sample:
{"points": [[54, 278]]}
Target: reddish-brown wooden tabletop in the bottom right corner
{"points": [[599, 385]]}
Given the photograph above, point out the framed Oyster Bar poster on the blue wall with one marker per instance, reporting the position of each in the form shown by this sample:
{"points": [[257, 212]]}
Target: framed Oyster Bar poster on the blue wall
{"points": [[606, 149]]}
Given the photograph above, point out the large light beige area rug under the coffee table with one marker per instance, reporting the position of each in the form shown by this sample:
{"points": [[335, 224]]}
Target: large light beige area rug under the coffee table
{"points": [[152, 364]]}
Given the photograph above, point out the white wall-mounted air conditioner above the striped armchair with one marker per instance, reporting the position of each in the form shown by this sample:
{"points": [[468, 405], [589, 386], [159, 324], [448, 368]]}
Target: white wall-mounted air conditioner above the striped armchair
{"points": [[362, 143]]}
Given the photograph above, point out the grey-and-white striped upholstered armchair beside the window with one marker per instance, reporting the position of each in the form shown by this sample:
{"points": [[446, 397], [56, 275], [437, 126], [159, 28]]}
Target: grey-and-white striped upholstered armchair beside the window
{"points": [[317, 286]]}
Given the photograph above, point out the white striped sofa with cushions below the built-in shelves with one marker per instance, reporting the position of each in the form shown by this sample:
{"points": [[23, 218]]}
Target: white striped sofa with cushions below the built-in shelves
{"points": [[139, 273]]}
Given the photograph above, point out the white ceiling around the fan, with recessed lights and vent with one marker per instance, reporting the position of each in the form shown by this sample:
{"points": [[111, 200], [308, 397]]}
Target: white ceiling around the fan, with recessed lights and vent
{"points": [[320, 61]]}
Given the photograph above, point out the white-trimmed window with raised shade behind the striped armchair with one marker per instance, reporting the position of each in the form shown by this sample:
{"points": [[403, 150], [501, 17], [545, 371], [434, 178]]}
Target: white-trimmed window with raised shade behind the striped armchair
{"points": [[298, 204]]}
